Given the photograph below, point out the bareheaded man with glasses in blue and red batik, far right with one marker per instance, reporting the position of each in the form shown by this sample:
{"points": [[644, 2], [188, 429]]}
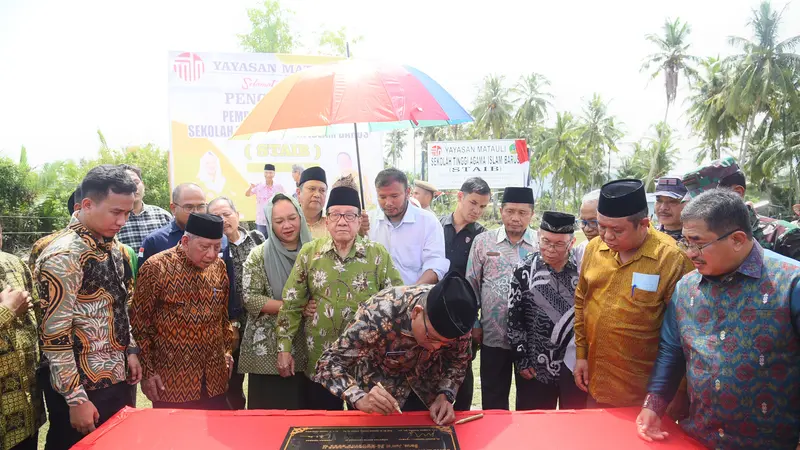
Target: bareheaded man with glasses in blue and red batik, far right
{"points": [[737, 317]]}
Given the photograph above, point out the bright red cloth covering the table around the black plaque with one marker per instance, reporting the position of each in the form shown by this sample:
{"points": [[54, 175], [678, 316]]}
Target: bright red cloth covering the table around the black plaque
{"points": [[165, 429]]}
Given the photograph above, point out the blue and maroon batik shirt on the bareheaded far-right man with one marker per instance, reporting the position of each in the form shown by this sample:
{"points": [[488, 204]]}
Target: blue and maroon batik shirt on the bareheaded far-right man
{"points": [[736, 339]]}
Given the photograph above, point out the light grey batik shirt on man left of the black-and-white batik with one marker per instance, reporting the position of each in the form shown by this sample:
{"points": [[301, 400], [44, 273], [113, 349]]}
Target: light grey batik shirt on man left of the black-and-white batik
{"points": [[492, 260]]}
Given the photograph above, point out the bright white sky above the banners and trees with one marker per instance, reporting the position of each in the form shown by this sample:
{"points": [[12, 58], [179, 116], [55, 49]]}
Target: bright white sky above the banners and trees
{"points": [[68, 70]]}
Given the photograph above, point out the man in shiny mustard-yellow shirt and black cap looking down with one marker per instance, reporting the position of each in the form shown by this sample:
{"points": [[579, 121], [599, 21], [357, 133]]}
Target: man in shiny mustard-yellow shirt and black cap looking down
{"points": [[627, 279]]}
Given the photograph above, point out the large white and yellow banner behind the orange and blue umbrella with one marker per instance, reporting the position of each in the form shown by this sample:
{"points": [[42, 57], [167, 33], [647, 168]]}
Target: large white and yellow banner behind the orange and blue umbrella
{"points": [[210, 94]]}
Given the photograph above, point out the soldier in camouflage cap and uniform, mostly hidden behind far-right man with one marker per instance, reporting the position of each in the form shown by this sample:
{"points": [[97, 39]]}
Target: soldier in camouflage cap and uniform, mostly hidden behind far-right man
{"points": [[777, 235]]}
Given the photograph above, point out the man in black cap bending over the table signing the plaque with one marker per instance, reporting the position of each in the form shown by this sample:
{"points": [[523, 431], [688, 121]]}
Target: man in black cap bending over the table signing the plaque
{"points": [[406, 349]]}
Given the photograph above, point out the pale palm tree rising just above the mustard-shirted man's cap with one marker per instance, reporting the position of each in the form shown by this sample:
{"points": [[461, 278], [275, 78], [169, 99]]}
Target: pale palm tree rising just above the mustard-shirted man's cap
{"points": [[599, 133]]}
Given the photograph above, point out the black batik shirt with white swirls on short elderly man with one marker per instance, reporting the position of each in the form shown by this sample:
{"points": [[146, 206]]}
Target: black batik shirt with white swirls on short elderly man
{"points": [[541, 315]]}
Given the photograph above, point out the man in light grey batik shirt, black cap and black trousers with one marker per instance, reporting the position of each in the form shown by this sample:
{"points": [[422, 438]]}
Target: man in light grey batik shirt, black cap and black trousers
{"points": [[492, 260]]}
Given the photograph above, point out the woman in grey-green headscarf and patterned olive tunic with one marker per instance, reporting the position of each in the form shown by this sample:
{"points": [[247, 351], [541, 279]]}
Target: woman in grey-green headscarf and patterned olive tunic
{"points": [[265, 272]]}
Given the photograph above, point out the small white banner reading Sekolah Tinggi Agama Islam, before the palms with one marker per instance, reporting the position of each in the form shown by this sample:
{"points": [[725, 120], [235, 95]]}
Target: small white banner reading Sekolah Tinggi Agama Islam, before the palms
{"points": [[450, 163]]}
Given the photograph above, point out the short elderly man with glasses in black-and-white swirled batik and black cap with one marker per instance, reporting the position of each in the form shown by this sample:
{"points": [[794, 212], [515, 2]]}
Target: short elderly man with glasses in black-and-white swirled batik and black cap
{"points": [[541, 315]]}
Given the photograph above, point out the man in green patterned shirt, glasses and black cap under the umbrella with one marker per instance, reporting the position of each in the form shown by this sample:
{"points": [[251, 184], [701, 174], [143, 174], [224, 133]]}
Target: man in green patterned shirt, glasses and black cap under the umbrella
{"points": [[340, 272]]}
